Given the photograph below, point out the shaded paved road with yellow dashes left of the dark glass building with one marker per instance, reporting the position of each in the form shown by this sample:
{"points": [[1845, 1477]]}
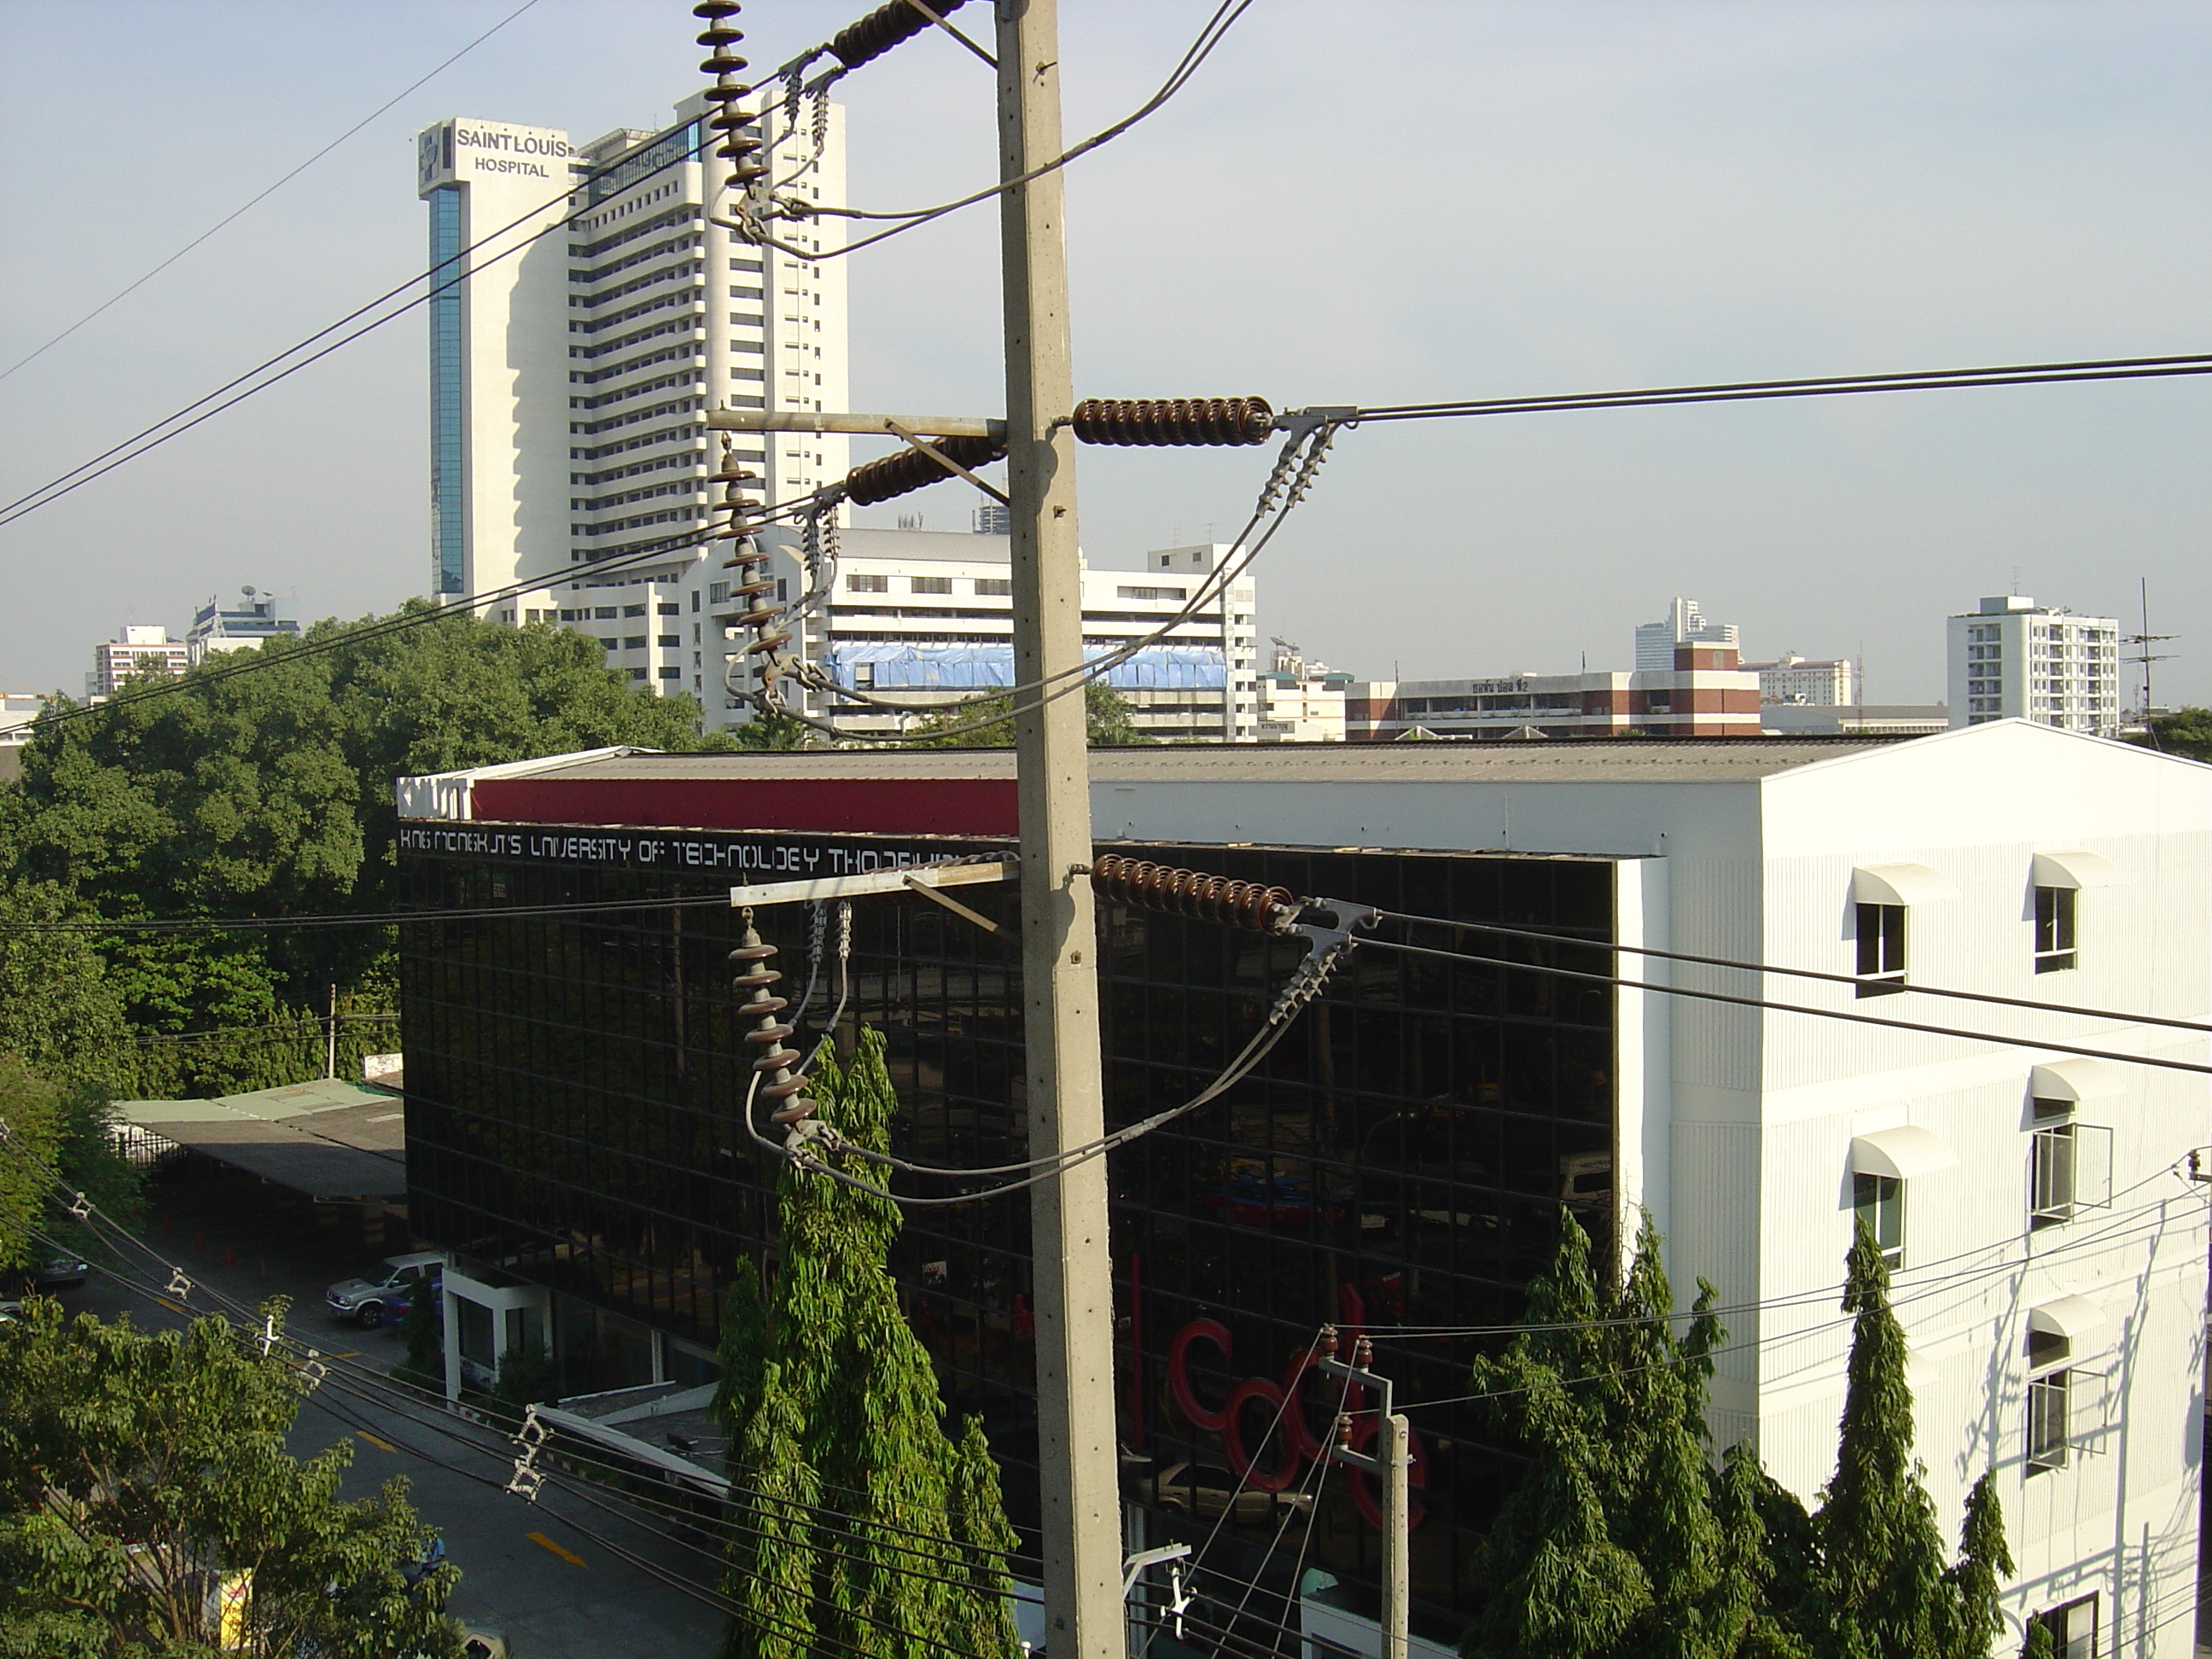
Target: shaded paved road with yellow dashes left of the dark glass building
{"points": [[528, 1569]]}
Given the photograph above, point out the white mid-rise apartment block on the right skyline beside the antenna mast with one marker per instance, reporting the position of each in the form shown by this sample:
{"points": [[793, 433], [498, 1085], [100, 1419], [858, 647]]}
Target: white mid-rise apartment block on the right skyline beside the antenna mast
{"points": [[2018, 660]]}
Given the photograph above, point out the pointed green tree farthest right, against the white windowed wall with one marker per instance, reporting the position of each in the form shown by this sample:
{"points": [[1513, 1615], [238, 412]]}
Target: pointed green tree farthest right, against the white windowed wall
{"points": [[1881, 1587]]}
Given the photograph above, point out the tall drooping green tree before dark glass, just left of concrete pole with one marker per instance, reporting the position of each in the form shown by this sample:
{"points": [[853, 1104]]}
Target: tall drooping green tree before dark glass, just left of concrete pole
{"points": [[842, 1432]]}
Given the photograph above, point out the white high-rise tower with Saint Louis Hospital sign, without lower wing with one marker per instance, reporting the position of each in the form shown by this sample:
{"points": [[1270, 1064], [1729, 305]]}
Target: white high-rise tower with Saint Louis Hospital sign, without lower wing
{"points": [[585, 320]]}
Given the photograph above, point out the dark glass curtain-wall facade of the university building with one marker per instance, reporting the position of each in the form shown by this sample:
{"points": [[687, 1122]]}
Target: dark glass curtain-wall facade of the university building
{"points": [[1399, 1160]]}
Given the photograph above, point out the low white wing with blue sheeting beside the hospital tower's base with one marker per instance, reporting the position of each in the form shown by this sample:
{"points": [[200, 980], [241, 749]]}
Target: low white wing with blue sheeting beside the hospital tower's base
{"points": [[928, 618]]}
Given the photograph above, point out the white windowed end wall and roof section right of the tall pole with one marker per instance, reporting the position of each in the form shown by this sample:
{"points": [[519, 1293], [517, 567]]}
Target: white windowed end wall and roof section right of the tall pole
{"points": [[2049, 1246]]}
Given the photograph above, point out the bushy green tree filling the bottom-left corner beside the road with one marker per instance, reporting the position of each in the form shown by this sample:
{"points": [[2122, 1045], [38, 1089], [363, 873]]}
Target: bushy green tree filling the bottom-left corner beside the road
{"points": [[145, 1470]]}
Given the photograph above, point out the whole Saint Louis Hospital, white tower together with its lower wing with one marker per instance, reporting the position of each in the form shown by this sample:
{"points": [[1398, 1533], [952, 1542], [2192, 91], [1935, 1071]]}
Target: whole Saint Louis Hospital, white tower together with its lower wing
{"points": [[596, 317]]}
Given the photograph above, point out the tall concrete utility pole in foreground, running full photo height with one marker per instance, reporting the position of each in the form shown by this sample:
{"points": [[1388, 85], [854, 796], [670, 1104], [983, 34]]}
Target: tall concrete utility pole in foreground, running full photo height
{"points": [[1076, 1415]]}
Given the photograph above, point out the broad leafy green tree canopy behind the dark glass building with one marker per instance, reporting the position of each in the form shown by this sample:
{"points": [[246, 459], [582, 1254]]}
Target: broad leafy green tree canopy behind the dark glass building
{"points": [[264, 793]]}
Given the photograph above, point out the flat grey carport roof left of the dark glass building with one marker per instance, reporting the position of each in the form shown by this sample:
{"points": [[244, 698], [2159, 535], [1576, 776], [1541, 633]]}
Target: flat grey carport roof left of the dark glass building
{"points": [[331, 1140]]}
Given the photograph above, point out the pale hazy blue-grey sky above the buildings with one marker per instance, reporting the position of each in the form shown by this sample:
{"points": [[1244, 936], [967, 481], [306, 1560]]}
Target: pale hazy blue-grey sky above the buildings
{"points": [[1370, 202]]}
